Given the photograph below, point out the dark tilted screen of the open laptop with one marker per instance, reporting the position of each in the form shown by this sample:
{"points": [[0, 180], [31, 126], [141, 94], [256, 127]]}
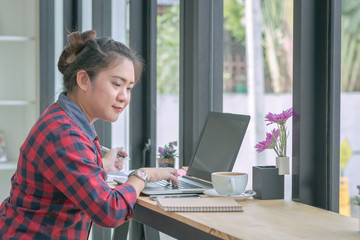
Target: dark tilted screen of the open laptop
{"points": [[218, 145]]}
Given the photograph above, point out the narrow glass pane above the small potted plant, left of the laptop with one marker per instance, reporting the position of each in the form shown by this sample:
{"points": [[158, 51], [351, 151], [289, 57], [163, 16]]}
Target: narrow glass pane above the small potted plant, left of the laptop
{"points": [[168, 43]]}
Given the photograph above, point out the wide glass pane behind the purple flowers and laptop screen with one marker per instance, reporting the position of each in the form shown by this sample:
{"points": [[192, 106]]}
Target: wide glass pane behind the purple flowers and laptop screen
{"points": [[258, 73]]}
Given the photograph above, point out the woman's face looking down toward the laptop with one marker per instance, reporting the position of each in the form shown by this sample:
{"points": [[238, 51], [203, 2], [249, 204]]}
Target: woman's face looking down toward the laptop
{"points": [[110, 92]]}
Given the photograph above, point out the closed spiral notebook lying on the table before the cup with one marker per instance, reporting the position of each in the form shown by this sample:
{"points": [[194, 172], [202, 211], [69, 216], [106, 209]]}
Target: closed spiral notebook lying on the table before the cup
{"points": [[199, 205]]}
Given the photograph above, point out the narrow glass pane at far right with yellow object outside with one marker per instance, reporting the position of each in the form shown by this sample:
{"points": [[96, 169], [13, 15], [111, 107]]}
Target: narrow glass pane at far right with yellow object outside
{"points": [[350, 111]]}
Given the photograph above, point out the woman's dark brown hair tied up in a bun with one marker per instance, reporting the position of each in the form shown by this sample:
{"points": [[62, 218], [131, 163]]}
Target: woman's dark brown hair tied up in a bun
{"points": [[86, 52]]}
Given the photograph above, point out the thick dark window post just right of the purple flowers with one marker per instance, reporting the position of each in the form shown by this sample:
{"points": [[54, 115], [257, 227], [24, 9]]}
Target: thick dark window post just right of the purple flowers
{"points": [[316, 102]]}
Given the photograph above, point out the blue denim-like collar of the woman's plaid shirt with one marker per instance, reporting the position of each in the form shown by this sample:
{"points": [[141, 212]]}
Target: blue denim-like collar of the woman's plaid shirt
{"points": [[77, 115]]}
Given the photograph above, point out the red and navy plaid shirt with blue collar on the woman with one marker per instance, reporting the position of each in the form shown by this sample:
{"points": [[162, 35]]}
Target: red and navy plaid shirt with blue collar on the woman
{"points": [[59, 186]]}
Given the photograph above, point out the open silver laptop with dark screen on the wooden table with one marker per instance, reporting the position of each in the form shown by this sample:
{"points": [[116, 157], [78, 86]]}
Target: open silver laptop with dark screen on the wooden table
{"points": [[216, 151]]}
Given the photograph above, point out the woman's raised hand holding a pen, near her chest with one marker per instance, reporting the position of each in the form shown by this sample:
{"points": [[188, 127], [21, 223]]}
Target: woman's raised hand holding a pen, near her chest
{"points": [[111, 161]]}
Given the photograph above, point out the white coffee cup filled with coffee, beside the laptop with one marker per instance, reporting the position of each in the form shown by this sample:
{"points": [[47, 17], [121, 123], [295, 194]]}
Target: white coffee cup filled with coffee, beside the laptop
{"points": [[229, 183]]}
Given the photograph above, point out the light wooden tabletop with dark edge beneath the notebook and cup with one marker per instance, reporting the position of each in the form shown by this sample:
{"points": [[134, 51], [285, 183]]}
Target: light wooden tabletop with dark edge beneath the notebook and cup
{"points": [[261, 219]]}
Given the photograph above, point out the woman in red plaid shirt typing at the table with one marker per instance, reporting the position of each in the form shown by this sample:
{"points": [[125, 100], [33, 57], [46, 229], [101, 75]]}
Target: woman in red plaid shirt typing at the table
{"points": [[59, 186]]}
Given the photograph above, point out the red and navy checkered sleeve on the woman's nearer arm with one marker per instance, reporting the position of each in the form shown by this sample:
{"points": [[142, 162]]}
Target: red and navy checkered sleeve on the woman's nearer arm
{"points": [[72, 164]]}
